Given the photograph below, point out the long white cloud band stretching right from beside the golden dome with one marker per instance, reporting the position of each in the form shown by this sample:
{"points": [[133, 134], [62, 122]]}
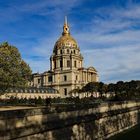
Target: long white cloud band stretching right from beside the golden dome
{"points": [[129, 36]]}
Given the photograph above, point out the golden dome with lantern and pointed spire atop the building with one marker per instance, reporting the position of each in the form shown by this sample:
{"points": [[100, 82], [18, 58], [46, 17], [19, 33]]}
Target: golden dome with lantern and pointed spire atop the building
{"points": [[66, 40]]}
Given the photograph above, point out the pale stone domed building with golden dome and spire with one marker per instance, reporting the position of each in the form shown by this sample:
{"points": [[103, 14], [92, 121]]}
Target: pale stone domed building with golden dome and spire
{"points": [[66, 67]]}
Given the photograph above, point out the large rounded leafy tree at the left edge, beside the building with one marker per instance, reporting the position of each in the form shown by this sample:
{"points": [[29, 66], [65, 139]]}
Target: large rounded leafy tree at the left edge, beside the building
{"points": [[14, 72]]}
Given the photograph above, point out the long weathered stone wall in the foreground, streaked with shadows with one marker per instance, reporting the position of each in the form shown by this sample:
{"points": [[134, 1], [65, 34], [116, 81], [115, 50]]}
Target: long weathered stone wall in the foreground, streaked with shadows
{"points": [[91, 123]]}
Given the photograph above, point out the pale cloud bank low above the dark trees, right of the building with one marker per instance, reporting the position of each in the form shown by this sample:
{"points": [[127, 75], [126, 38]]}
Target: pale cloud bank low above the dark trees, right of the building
{"points": [[121, 62]]}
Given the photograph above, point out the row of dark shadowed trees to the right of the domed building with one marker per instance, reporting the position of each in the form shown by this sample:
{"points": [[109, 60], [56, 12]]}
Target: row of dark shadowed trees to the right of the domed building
{"points": [[118, 91]]}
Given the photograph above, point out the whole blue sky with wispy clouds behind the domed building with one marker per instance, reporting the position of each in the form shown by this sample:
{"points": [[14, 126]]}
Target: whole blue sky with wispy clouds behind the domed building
{"points": [[107, 31]]}
